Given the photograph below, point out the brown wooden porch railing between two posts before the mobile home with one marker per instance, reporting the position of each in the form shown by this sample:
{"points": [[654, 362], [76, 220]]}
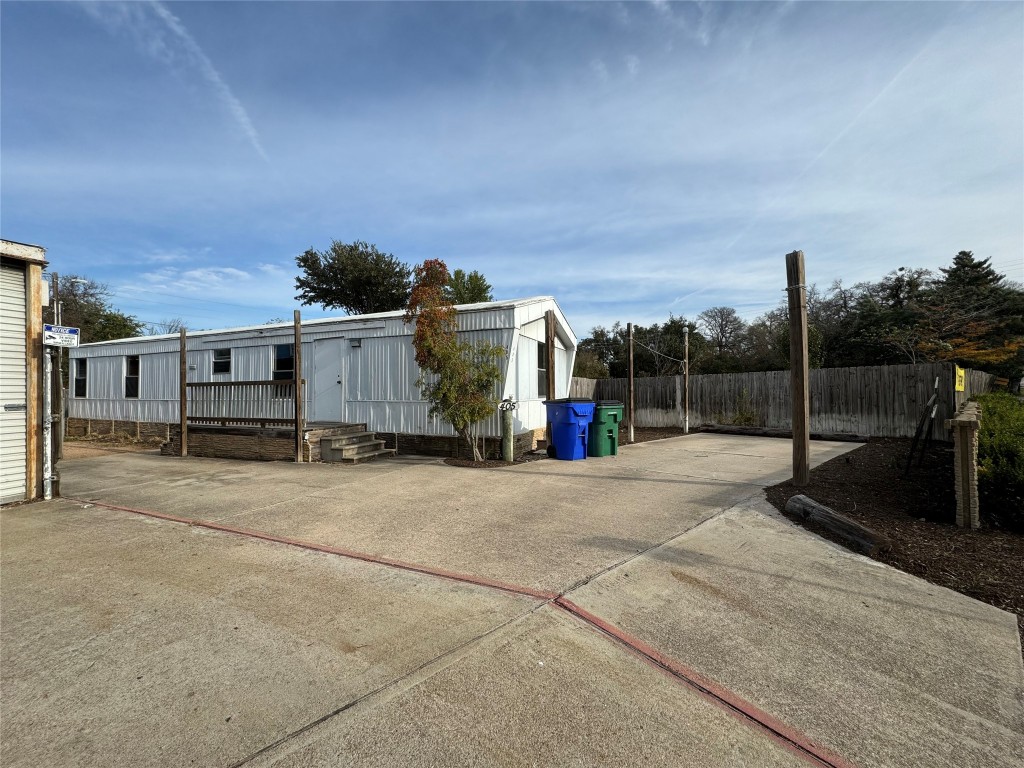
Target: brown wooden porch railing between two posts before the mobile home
{"points": [[242, 403]]}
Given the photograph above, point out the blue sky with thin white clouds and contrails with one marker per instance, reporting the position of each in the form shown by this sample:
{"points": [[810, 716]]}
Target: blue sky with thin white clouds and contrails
{"points": [[630, 159]]}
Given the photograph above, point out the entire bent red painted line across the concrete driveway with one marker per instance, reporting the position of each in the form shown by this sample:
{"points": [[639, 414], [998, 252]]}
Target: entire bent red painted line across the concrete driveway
{"points": [[740, 708]]}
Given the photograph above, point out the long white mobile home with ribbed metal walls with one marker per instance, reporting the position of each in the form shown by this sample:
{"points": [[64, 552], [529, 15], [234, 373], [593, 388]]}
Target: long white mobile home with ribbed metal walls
{"points": [[359, 369]]}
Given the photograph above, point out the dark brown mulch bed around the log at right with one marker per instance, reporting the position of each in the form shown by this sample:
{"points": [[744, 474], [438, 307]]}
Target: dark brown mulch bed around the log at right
{"points": [[918, 514]]}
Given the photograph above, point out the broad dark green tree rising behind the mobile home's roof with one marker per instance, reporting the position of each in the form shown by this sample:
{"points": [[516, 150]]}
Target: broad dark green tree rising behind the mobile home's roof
{"points": [[354, 277]]}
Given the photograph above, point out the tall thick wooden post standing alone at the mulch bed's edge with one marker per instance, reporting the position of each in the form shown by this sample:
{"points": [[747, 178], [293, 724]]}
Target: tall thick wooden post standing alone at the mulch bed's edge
{"points": [[797, 291]]}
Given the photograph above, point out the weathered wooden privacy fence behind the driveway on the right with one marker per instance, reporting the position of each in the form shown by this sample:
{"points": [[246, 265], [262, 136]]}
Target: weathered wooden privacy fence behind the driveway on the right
{"points": [[878, 401]]}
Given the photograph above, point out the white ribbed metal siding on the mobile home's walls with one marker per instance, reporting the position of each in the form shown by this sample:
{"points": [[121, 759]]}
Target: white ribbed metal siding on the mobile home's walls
{"points": [[378, 377]]}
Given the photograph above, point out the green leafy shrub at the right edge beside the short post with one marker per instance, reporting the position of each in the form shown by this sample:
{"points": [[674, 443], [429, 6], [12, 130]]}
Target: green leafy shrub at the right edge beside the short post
{"points": [[1001, 460]]}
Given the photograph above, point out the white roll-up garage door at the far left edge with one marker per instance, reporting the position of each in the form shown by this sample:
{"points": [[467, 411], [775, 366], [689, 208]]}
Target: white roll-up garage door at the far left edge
{"points": [[14, 390]]}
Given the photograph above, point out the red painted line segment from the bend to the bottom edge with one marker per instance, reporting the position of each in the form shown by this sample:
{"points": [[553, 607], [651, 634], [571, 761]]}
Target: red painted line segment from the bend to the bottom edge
{"points": [[744, 710]]}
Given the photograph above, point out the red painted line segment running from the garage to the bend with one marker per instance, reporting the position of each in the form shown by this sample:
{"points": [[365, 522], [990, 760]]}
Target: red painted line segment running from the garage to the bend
{"points": [[353, 554]]}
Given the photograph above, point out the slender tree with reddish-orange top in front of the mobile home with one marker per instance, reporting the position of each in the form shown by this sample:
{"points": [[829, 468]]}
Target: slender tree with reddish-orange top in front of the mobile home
{"points": [[459, 379]]}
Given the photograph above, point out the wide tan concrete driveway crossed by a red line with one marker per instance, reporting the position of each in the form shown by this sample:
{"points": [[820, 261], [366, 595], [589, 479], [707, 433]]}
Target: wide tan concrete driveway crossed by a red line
{"points": [[643, 610]]}
